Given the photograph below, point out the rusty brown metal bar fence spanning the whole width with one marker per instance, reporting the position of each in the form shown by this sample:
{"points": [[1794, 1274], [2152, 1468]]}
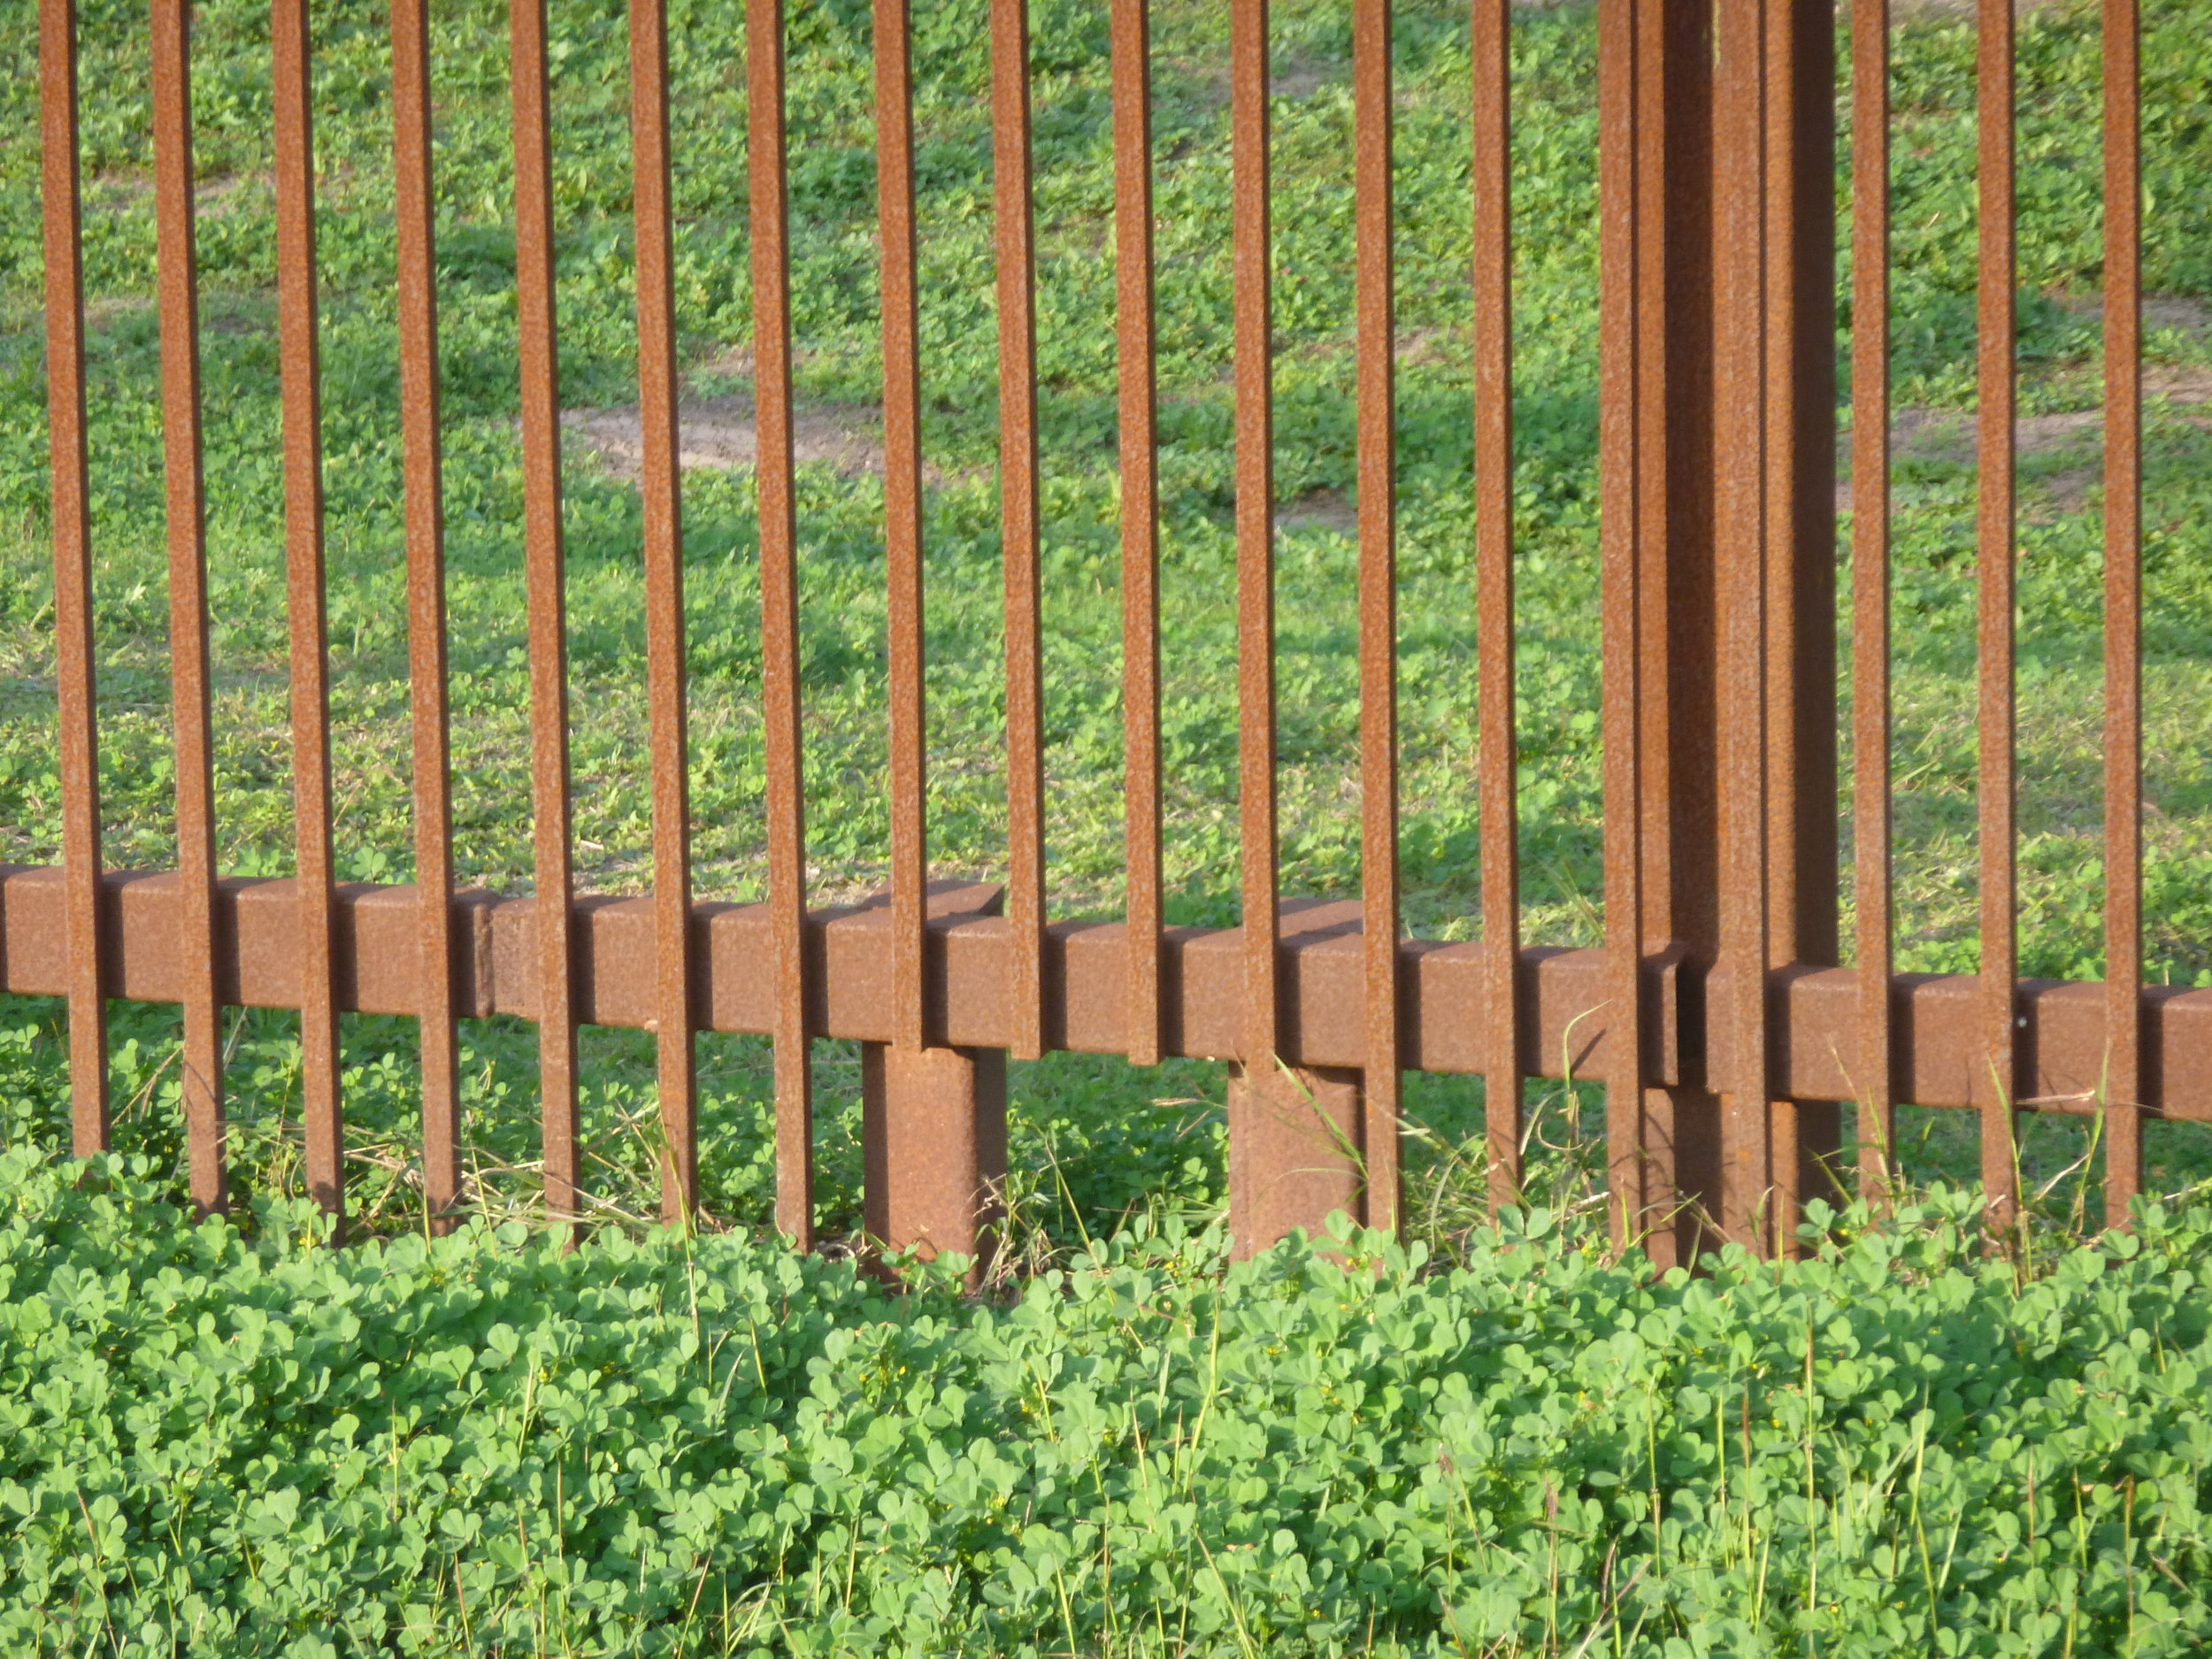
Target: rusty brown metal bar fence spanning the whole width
{"points": [[1715, 1012]]}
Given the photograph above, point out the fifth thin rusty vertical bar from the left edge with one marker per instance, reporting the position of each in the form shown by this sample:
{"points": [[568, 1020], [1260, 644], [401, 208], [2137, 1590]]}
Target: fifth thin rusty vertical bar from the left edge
{"points": [[545, 574]]}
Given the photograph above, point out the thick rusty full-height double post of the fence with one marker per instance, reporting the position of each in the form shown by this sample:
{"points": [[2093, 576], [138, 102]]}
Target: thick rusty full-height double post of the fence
{"points": [[1722, 479]]}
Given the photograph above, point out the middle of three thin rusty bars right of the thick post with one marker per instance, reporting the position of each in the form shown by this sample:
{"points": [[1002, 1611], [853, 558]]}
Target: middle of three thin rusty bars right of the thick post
{"points": [[1996, 1085]]}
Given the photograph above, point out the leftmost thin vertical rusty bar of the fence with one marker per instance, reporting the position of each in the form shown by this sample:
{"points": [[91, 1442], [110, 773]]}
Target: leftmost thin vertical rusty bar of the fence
{"points": [[72, 574]]}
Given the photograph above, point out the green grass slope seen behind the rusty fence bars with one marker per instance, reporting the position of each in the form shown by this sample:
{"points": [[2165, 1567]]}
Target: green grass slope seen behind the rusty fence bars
{"points": [[1112, 1138]]}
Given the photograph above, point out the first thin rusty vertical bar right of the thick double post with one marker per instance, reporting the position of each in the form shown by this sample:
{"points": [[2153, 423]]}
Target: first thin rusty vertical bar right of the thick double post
{"points": [[1870, 589]]}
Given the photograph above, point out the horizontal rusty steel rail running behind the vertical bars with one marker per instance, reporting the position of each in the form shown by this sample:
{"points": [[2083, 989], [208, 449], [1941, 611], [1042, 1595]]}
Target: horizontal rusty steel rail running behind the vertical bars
{"points": [[1446, 1023]]}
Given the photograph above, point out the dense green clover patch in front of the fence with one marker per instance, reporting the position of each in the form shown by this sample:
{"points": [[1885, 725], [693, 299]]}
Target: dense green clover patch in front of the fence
{"points": [[255, 1446]]}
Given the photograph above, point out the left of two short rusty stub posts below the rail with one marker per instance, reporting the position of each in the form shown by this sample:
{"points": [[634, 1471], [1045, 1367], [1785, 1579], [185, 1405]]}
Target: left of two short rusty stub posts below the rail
{"points": [[935, 1149]]}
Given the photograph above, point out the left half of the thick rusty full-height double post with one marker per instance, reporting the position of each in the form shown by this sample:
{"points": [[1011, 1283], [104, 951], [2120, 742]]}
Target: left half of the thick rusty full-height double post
{"points": [[1658, 468]]}
